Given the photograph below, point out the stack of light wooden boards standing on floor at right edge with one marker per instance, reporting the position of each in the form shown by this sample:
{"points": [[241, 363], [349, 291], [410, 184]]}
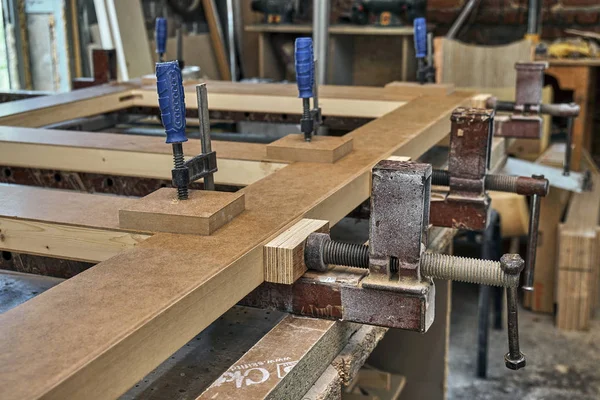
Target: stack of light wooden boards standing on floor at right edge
{"points": [[579, 257]]}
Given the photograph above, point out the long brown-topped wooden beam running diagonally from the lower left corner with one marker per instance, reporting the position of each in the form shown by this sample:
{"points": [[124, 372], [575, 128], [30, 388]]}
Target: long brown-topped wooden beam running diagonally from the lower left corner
{"points": [[146, 300]]}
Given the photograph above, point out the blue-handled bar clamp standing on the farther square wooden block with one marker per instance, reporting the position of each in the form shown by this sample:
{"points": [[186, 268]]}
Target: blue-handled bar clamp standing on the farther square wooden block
{"points": [[307, 87]]}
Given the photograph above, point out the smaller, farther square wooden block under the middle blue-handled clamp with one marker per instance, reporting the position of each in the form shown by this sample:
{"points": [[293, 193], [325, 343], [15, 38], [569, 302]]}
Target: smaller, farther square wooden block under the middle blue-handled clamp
{"points": [[322, 149]]}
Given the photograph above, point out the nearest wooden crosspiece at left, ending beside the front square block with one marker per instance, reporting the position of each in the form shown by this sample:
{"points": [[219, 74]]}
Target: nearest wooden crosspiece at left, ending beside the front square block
{"points": [[69, 225]]}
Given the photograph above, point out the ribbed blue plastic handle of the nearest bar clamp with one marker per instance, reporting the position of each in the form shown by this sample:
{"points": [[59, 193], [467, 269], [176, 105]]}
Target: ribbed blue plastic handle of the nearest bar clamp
{"points": [[171, 100]]}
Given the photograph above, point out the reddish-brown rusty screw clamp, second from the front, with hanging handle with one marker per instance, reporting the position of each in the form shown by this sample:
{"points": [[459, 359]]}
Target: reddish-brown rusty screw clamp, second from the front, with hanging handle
{"points": [[467, 204]]}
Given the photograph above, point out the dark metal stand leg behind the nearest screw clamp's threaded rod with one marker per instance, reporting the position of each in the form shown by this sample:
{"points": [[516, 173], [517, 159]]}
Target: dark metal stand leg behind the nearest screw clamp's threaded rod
{"points": [[491, 249]]}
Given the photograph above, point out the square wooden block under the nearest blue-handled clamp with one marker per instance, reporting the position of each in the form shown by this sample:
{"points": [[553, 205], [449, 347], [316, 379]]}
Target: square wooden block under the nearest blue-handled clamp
{"points": [[202, 214]]}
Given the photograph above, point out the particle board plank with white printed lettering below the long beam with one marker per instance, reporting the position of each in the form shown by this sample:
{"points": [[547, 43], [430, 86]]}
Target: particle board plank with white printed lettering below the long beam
{"points": [[285, 362]]}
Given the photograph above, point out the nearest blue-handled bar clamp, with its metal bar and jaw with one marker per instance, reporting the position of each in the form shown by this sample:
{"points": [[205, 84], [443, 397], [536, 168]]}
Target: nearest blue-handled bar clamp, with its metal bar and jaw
{"points": [[171, 101]]}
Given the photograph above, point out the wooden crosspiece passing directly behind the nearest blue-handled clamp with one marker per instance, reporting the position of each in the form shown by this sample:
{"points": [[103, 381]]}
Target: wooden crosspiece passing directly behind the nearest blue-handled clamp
{"points": [[240, 164]]}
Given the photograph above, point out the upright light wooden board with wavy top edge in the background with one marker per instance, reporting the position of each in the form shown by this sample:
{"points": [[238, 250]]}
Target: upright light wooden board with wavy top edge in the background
{"points": [[467, 65]]}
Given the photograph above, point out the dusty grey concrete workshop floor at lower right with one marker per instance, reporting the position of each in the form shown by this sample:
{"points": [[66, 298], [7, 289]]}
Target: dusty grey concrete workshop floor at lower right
{"points": [[560, 365]]}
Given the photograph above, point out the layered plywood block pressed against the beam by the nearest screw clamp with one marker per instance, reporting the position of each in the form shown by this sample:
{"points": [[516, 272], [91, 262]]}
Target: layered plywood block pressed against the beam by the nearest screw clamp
{"points": [[284, 255]]}
